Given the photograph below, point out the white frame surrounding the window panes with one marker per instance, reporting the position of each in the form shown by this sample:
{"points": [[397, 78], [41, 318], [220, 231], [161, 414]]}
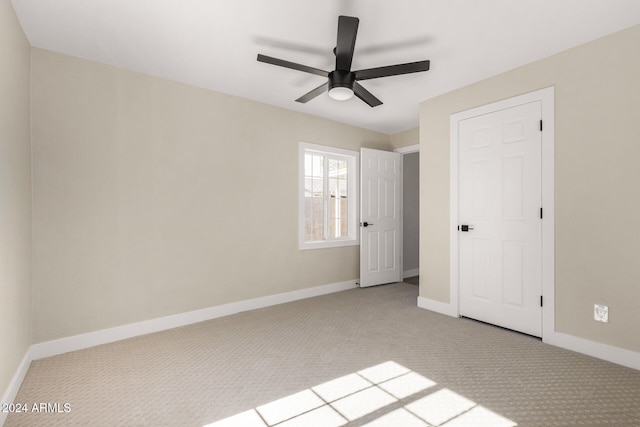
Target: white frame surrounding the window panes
{"points": [[353, 173]]}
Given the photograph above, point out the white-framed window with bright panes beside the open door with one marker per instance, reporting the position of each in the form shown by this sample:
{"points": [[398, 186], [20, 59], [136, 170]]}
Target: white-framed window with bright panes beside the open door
{"points": [[328, 197]]}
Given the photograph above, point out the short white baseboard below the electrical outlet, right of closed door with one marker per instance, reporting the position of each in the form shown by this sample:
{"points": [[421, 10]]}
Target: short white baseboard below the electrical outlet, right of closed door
{"points": [[598, 350]]}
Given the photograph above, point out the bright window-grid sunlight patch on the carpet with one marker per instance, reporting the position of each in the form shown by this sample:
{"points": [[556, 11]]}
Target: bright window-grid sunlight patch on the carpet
{"points": [[380, 390]]}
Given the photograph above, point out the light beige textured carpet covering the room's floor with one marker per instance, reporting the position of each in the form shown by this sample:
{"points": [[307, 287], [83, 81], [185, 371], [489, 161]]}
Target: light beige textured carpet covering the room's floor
{"points": [[199, 374]]}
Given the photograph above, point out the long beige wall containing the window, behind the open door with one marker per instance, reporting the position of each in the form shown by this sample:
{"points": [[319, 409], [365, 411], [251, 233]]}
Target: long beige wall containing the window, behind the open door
{"points": [[154, 198]]}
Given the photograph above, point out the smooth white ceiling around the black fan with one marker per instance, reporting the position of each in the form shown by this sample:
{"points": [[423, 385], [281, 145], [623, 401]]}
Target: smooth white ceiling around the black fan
{"points": [[214, 43]]}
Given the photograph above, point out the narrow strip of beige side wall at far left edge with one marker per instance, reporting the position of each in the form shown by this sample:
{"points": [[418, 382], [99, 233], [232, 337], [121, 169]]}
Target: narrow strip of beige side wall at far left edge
{"points": [[15, 196]]}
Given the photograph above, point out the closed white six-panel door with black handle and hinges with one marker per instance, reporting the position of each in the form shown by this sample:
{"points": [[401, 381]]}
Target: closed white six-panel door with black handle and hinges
{"points": [[500, 240]]}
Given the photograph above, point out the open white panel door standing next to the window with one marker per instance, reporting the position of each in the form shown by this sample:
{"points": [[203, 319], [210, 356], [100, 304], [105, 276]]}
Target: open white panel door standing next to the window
{"points": [[380, 217]]}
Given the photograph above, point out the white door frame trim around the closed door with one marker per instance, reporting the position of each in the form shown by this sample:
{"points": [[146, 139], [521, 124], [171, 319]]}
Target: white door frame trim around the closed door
{"points": [[546, 96]]}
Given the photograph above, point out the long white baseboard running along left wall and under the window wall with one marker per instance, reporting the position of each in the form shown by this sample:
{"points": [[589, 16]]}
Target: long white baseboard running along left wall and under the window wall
{"points": [[105, 336]]}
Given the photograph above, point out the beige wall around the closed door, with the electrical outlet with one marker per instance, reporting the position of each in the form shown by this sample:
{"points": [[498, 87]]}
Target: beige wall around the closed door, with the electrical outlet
{"points": [[597, 158]]}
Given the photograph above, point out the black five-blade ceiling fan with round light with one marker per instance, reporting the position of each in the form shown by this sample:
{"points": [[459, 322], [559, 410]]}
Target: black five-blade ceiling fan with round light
{"points": [[343, 83]]}
